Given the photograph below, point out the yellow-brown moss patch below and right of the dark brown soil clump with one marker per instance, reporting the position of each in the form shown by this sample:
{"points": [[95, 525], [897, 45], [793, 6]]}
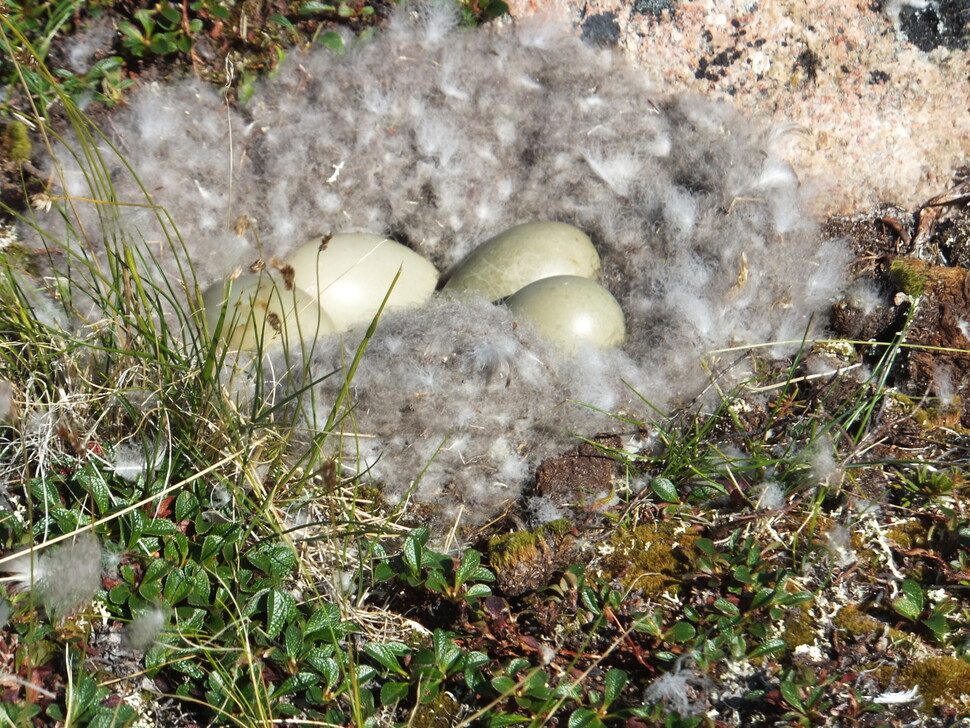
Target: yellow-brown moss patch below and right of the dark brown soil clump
{"points": [[650, 558]]}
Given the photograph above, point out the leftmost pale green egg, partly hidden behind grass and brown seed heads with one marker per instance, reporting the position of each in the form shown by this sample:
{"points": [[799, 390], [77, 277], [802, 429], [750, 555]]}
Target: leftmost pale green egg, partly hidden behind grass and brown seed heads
{"points": [[261, 312]]}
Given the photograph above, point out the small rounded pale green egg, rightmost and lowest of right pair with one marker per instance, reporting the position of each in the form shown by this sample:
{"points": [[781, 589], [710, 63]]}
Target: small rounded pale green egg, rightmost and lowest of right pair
{"points": [[571, 311]]}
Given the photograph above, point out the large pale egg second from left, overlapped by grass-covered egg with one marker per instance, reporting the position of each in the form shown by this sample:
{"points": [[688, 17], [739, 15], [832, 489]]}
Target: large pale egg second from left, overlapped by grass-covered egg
{"points": [[351, 273]]}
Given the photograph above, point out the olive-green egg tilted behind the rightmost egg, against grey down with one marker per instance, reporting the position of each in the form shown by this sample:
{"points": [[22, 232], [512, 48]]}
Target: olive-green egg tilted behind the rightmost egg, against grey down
{"points": [[521, 255]]}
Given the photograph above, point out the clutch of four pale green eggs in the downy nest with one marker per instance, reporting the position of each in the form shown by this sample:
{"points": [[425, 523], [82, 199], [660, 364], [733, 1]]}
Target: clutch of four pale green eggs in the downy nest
{"points": [[545, 272]]}
